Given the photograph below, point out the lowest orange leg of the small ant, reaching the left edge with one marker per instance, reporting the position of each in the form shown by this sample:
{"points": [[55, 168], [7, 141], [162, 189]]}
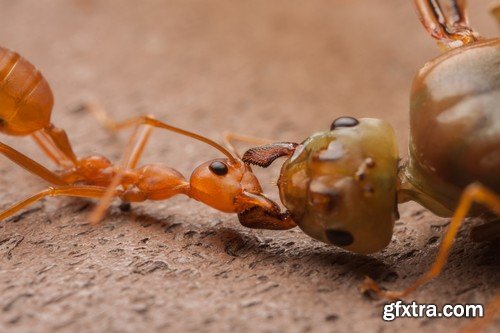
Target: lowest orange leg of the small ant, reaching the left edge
{"points": [[68, 190]]}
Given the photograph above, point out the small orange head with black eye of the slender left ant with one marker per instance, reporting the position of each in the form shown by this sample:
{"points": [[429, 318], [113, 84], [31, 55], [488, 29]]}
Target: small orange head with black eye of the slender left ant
{"points": [[222, 184]]}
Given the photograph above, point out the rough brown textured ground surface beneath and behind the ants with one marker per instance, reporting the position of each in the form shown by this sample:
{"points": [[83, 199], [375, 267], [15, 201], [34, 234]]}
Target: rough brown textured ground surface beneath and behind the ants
{"points": [[276, 69]]}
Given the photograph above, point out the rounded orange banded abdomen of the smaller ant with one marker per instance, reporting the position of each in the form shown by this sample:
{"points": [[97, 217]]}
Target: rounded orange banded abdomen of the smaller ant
{"points": [[26, 99]]}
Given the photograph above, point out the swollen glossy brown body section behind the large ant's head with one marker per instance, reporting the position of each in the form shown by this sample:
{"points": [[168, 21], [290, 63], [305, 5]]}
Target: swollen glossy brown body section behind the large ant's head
{"points": [[454, 120]]}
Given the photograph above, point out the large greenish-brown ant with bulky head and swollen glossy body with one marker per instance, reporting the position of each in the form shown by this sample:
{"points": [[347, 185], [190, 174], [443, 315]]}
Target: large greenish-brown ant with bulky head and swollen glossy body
{"points": [[343, 186]]}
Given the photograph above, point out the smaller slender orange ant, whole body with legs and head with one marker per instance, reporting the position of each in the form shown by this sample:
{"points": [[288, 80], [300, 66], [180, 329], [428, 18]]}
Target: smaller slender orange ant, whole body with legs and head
{"points": [[226, 184]]}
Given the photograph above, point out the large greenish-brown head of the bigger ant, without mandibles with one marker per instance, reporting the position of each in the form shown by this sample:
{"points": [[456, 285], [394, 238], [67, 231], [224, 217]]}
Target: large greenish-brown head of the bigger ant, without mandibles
{"points": [[340, 185]]}
